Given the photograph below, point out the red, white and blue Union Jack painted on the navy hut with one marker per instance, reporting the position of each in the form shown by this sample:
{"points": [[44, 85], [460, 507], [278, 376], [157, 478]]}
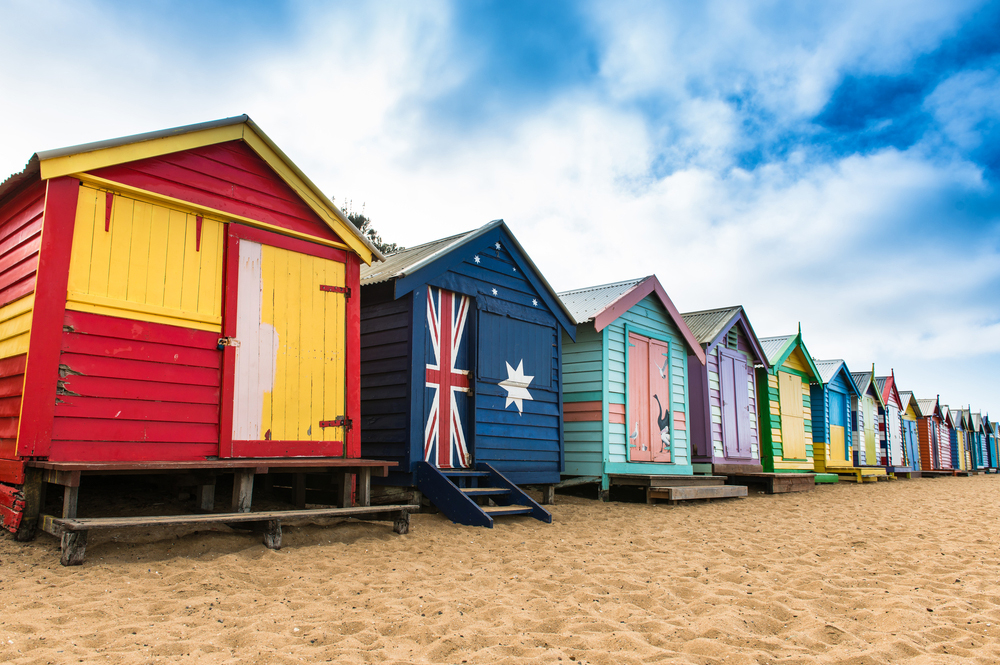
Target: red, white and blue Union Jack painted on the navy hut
{"points": [[444, 436]]}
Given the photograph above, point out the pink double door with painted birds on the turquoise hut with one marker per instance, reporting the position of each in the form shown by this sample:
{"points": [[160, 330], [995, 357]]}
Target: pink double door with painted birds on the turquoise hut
{"points": [[649, 399]]}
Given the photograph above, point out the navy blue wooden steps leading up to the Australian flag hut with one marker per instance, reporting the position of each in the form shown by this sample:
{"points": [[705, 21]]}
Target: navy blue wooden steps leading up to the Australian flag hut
{"points": [[464, 495]]}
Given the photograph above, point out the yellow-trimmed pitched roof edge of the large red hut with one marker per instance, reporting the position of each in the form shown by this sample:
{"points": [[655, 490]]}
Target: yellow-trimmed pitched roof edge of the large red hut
{"points": [[90, 156]]}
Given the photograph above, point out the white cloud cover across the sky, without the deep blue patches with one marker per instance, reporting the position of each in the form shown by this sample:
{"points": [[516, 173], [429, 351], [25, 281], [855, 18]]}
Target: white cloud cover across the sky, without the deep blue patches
{"points": [[832, 244]]}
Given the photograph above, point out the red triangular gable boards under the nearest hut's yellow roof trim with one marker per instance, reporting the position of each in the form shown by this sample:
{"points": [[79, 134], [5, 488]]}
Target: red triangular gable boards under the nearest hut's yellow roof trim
{"points": [[227, 176]]}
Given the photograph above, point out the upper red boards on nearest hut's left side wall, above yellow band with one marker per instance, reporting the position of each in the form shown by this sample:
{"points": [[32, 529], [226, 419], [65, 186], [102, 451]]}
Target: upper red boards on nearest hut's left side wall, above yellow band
{"points": [[20, 239]]}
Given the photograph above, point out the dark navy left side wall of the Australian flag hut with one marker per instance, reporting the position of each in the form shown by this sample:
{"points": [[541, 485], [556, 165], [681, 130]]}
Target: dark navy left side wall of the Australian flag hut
{"points": [[385, 364]]}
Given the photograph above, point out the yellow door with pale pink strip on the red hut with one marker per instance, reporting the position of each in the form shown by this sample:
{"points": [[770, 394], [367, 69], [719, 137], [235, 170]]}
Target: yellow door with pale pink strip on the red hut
{"points": [[290, 358]]}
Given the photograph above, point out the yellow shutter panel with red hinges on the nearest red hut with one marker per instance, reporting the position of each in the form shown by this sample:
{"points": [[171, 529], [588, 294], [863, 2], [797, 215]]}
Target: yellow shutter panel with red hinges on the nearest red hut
{"points": [[145, 261]]}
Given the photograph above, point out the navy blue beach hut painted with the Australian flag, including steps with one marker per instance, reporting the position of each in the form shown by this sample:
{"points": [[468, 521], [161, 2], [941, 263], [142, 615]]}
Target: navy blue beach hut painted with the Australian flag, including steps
{"points": [[460, 374]]}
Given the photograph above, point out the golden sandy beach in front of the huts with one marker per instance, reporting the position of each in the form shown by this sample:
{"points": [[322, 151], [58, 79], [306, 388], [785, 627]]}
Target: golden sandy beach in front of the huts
{"points": [[903, 571]]}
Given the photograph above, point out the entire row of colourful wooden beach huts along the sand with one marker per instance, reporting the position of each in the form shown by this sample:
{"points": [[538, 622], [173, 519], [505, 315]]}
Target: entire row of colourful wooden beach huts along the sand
{"points": [[189, 302]]}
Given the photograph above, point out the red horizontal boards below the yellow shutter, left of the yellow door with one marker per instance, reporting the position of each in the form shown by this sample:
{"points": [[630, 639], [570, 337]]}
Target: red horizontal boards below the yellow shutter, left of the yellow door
{"points": [[132, 390]]}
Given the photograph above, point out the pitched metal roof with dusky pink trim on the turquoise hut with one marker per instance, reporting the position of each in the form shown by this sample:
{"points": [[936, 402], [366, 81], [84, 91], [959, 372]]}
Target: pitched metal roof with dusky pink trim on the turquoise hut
{"points": [[604, 304]]}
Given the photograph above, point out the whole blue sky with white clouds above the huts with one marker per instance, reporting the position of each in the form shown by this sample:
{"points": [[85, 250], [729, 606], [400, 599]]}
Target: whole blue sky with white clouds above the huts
{"points": [[834, 164]]}
